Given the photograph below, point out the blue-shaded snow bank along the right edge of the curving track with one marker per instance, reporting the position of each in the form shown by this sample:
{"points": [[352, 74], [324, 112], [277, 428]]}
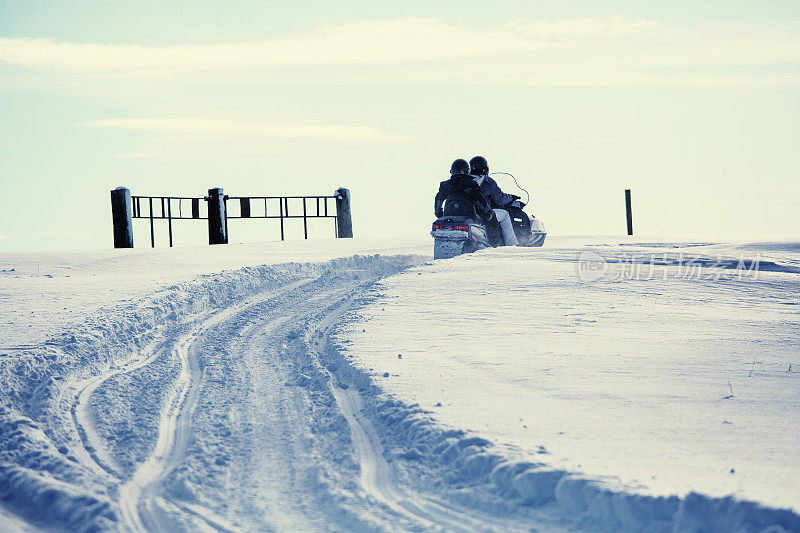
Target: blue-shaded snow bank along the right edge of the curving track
{"points": [[478, 473]]}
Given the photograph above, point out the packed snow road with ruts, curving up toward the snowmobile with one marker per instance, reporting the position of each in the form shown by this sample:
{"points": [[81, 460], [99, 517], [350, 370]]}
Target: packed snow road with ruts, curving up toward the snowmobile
{"points": [[254, 432]]}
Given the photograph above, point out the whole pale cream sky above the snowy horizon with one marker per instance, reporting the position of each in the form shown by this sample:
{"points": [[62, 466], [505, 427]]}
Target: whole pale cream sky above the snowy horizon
{"points": [[692, 105]]}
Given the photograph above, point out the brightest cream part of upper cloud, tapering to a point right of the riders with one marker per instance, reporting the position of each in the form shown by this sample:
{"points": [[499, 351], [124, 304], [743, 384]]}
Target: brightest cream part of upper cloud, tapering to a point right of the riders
{"points": [[369, 41]]}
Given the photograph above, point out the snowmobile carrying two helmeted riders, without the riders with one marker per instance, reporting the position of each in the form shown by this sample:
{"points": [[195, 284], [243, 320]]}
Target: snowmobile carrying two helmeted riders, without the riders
{"points": [[456, 235]]}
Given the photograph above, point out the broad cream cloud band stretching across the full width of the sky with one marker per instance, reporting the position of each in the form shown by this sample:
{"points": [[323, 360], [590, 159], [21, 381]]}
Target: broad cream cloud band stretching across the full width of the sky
{"points": [[569, 52]]}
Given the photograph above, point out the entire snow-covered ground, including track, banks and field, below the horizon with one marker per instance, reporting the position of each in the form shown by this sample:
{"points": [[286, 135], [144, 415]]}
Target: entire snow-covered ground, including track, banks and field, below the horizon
{"points": [[594, 384]]}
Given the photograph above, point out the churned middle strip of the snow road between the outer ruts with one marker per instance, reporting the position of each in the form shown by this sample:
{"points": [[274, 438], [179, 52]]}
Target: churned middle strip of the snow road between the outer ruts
{"points": [[271, 443]]}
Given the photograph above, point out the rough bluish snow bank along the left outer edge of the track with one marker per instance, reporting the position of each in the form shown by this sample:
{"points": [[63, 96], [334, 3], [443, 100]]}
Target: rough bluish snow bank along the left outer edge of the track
{"points": [[43, 476]]}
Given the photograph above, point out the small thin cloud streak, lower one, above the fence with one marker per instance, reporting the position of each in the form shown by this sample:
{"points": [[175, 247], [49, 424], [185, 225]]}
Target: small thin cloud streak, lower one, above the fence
{"points": [[229, 127]]}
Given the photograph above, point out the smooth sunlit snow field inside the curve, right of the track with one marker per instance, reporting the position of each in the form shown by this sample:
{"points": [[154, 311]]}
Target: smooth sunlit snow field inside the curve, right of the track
{"points": [[671, 372]]}
